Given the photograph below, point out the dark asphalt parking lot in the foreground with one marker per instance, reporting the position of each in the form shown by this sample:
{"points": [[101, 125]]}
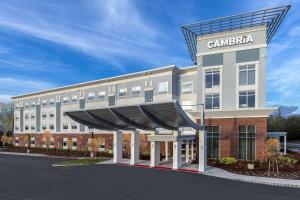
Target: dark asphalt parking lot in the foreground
{"points": [[29, 178]]}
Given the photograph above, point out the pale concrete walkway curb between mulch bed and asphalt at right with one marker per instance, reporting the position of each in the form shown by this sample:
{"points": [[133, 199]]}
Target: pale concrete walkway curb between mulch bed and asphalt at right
{"points": [[220, 173]]}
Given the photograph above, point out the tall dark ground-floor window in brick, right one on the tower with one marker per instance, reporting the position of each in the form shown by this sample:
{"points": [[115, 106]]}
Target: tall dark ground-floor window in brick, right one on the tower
{"points": [[247, 135]]}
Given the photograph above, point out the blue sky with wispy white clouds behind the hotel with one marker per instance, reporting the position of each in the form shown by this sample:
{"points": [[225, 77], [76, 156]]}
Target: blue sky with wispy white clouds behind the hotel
{"points": [[45, 44]]}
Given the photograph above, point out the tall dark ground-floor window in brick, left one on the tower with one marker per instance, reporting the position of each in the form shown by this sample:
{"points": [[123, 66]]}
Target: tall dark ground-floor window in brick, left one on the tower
{"points": [[213, 138]]}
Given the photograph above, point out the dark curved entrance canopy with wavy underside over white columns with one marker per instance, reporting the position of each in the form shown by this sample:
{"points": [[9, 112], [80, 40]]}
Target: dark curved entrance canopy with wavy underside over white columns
{"points": [[167, 115]]}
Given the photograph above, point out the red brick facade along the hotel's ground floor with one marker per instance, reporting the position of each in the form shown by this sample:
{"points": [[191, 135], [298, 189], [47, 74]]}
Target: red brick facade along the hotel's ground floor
{"points": [[228, 138]]}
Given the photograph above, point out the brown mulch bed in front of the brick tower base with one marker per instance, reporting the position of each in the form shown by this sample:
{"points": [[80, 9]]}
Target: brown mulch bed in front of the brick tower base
{"points": [[286, 170]]}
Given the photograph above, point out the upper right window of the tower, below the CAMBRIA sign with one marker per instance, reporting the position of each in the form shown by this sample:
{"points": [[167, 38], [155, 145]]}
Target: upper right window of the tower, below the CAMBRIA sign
{"points": [[247, 75]]}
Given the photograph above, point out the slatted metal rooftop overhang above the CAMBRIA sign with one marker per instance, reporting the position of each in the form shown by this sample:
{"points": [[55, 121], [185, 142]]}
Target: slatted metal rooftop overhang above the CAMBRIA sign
{"points": [[271, 18]]}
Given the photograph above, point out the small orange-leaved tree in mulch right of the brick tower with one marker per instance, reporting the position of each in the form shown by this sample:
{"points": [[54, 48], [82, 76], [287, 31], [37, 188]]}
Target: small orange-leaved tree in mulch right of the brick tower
{"points": [[272, 153]]}
